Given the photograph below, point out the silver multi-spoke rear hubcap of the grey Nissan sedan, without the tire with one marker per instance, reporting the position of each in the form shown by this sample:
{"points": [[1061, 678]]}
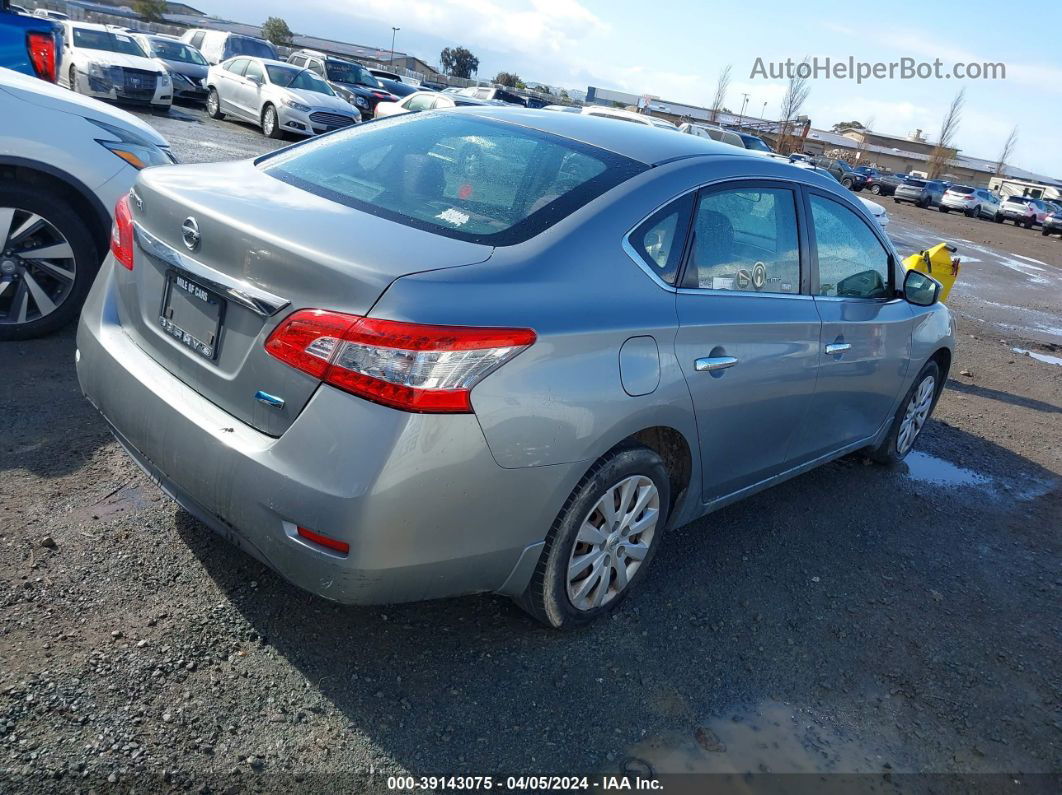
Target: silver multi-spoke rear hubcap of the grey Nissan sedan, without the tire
{"points": [[613, 543]]}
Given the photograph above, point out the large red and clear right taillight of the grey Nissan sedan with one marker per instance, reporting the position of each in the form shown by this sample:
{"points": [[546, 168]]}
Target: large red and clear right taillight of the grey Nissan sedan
{"points": [[405, 366]]}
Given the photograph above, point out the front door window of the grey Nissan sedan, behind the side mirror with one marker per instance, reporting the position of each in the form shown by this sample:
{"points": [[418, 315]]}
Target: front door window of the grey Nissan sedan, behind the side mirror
{"points": [[852, 262]]}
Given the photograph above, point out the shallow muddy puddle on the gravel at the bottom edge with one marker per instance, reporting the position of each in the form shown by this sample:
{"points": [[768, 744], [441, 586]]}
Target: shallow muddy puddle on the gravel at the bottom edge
{"points": [[772, 738]]}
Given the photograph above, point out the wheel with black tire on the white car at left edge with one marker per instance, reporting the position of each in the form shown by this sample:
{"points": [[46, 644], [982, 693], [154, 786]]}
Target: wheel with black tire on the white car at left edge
{"points": [[38, 301]]}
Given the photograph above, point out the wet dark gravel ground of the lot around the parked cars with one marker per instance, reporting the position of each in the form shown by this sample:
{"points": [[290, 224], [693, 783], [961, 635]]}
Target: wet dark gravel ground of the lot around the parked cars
{"points": [[857, 619]]}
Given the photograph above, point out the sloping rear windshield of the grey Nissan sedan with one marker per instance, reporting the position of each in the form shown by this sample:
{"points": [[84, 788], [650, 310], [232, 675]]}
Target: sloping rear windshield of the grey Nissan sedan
{"points": [[453, 175]]}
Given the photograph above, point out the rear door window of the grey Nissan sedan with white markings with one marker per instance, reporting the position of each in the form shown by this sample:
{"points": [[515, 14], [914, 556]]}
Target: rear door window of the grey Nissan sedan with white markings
{"points": [[745, 239]]}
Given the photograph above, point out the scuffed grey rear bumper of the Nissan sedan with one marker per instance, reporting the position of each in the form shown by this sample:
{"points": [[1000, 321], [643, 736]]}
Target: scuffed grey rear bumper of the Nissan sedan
{"points": [[422, 504]]}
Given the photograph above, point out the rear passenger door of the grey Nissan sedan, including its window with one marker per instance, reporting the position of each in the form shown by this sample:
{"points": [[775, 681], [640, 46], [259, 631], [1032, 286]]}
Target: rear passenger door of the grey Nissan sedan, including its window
{"points": [[748, 332]]}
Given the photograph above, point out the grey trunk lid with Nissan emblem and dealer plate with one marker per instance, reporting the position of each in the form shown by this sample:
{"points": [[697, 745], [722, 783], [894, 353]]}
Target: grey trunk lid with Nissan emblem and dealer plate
{"points": [[265, 249]]}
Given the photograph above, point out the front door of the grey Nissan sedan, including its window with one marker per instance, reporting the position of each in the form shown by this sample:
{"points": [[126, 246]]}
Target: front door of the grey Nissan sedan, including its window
{"points": [[865, 347]]}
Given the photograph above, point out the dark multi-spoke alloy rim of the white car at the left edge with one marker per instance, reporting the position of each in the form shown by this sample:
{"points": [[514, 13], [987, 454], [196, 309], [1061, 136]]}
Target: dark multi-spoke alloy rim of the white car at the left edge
{"points": [[38, 267]]}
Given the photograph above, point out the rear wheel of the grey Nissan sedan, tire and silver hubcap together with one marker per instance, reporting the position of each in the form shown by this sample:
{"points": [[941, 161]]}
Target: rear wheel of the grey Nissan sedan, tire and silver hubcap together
{"points": [[551, 598]]}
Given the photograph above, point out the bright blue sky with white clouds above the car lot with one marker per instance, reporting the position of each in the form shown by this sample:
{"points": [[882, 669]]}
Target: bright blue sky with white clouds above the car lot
{"points": [[676, 49]]}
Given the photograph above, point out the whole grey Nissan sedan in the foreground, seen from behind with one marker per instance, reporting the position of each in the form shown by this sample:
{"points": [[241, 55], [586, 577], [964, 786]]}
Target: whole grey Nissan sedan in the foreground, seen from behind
{"points": [[414, 308]]}
